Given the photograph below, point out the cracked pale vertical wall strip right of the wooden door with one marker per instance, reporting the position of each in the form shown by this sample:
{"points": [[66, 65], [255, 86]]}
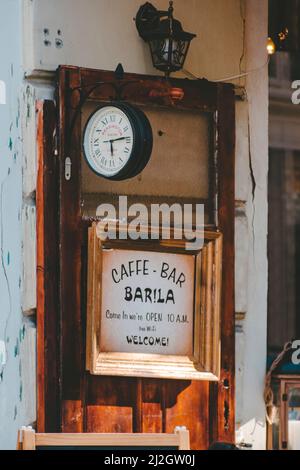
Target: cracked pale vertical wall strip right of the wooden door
{"points": [[251, 235]]}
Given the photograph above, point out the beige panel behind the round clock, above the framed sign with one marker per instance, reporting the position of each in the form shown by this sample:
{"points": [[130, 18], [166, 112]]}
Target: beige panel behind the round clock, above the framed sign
{"points": [[179, 159]]}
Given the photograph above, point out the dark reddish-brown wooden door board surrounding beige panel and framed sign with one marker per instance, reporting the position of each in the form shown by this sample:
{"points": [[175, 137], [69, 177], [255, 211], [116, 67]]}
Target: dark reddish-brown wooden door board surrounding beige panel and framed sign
{"points": [[104, 403]]}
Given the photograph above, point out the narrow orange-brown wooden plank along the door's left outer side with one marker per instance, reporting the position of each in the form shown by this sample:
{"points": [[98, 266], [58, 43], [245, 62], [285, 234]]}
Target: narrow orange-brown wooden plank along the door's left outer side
{"points": [[48, 413]]}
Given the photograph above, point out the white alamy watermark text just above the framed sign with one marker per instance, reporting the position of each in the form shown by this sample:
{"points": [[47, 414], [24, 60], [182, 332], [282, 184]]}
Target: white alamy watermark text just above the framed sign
{"points": [[178, 221]]}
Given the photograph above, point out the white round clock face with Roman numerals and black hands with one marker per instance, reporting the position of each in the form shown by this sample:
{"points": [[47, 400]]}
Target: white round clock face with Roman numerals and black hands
{"points": [[109, 141]]}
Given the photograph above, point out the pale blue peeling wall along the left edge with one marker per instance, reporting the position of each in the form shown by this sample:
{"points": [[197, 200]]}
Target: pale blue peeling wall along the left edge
{"points": [[17, 333]]}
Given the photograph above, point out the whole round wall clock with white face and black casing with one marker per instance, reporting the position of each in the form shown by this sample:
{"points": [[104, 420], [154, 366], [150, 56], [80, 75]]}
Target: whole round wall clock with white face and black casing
{"points": [[117, 141]]}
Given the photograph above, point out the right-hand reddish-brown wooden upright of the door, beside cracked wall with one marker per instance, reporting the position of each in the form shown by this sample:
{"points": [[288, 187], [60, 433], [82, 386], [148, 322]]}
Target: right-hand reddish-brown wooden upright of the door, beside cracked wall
{"points": [[223, 397]]}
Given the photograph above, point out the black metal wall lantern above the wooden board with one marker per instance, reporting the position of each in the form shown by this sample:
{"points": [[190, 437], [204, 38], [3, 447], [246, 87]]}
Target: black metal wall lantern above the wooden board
{"points": [[168, 42]]}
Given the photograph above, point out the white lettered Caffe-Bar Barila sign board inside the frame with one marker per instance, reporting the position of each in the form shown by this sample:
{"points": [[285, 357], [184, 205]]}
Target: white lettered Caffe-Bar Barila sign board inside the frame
{"points": [[147, 302]]}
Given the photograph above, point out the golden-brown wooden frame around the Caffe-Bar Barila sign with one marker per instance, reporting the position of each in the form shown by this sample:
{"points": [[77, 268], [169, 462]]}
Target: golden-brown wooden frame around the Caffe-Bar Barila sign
{"points": [[204, 364]]}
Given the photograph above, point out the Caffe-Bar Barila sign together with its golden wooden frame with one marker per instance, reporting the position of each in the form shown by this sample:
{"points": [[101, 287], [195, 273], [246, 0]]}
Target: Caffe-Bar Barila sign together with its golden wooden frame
{"points": [[154, 308]]}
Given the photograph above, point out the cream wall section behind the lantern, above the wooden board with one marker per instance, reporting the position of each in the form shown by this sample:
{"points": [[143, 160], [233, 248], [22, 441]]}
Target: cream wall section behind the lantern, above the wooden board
{"points": [[102, 33]]}
